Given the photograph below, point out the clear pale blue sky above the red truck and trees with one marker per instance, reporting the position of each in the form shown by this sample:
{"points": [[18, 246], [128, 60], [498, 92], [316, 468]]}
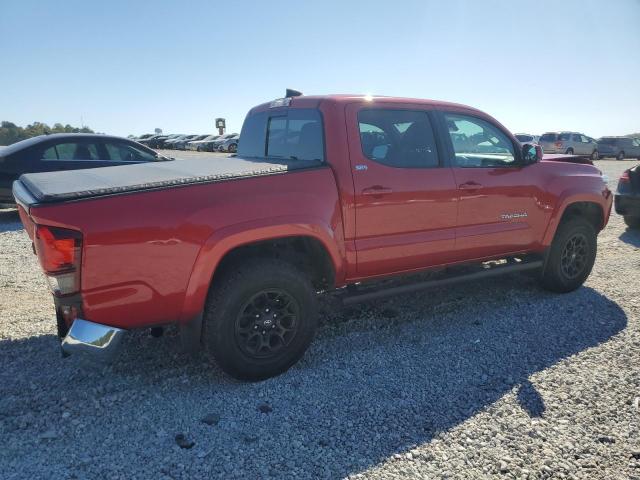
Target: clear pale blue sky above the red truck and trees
{"points": [[128, 66]]}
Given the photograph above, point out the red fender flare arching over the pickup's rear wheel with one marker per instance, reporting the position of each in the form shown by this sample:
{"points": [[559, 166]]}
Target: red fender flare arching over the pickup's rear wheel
{"points": [[231, 237]]}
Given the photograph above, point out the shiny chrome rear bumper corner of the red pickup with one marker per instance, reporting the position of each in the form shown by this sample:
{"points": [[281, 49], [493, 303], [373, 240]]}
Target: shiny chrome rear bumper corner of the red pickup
{"points": [[92, 340]]}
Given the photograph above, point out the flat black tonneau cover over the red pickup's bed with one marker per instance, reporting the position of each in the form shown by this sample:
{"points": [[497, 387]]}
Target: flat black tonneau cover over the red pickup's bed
{"points": [[78, 184]]}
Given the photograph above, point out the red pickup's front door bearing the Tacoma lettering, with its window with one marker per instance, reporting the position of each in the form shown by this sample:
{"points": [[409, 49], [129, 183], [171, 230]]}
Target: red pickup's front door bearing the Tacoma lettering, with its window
{"points": [[498, 212]]}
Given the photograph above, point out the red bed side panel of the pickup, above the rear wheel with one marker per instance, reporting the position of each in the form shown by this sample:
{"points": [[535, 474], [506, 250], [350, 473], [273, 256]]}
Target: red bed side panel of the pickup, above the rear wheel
{"points": [[148, 257]]}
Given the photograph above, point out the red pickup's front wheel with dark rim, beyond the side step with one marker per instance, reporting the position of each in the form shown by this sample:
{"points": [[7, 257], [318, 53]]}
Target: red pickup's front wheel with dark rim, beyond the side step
{"points": [[571, 256]]}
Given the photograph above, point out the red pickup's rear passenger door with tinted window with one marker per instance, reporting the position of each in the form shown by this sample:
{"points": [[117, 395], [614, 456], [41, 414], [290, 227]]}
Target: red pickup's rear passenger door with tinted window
{"points": [[405, 198]]}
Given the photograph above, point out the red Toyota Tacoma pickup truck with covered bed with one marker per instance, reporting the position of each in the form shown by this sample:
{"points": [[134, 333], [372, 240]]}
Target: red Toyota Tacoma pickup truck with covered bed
{"points": [[325, 194]]}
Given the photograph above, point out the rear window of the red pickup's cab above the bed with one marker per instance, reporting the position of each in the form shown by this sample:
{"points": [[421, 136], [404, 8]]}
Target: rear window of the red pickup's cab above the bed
{"points": [[290, 135]]}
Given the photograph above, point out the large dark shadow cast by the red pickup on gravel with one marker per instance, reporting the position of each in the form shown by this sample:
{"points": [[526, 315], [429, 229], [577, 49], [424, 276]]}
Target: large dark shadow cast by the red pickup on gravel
{"points": [[379, 380]]}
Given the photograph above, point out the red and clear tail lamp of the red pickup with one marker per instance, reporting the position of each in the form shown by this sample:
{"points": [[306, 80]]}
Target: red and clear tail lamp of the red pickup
{"points": [[59, 251]]}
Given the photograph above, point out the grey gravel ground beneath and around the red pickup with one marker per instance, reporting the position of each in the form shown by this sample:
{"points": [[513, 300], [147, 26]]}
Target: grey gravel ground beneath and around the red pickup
{"points": [[490, 380]]}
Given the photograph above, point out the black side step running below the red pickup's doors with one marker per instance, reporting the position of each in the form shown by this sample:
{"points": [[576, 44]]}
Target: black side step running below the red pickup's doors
{"points": [[448, 280]]}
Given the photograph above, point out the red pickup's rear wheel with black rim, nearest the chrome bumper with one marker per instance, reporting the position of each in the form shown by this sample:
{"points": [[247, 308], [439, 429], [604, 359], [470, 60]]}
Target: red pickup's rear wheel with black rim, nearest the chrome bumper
{"points": [[253, 349]]}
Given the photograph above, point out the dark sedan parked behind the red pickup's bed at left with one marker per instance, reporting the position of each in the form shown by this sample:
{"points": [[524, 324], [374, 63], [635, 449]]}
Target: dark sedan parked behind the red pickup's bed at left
{"points": [[67, 151]]}
